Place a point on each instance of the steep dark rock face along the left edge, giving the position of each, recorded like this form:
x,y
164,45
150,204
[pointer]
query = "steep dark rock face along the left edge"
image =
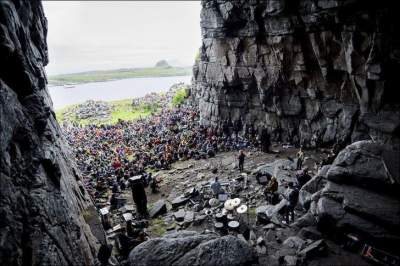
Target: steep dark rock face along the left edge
x,y
41,201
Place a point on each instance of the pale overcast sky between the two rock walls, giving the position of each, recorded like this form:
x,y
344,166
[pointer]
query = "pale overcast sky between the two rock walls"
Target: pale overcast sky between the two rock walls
x,y
108,35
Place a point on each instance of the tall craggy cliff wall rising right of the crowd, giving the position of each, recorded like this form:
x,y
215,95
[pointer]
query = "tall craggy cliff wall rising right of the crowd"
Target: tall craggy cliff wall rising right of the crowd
x,y
311,71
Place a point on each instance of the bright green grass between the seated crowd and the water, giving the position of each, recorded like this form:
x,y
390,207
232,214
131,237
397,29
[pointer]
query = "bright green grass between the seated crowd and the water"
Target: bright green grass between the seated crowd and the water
x,y
121,110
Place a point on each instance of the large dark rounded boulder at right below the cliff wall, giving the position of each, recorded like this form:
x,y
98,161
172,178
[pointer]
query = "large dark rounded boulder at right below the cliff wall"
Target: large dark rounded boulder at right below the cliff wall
x,y
361,194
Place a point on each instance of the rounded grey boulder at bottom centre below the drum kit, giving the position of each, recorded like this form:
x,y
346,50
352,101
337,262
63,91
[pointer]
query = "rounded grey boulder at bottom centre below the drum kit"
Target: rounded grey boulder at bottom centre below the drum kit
x,y
192,248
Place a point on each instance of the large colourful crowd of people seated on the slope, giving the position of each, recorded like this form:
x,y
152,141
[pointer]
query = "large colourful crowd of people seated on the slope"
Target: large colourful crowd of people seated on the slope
x,y
108,155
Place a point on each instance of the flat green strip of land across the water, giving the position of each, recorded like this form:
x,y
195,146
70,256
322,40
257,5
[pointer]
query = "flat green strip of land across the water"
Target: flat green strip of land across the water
x,y
106,75
